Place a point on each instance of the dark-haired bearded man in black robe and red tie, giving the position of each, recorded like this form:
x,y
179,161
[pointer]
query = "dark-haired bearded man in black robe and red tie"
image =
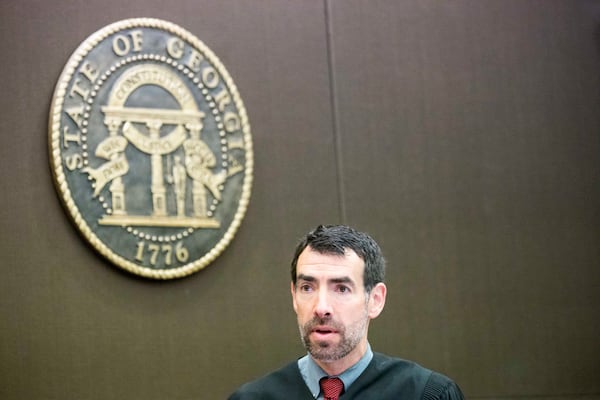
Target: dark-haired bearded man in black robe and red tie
x,y
337,288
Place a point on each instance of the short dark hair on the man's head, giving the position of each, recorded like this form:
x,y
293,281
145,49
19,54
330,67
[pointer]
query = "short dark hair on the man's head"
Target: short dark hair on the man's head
x,y
335,239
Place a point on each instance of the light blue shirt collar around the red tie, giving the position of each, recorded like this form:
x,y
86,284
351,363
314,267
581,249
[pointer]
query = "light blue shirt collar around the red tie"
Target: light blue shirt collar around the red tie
x,y
312,373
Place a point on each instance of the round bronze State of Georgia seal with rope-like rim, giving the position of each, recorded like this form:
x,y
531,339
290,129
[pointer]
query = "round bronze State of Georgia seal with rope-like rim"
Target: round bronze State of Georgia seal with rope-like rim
x,y
150,148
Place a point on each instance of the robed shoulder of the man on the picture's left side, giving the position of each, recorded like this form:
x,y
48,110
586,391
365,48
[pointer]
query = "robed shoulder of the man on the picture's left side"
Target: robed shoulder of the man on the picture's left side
x,y
275,384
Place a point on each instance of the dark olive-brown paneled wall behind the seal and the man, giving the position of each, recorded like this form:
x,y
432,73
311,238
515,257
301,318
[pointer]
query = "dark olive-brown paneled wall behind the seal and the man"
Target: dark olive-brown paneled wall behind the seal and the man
x,y
463,135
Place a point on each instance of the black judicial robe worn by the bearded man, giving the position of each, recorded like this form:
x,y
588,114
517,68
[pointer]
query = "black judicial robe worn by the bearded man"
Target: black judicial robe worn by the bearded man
x,y
384,378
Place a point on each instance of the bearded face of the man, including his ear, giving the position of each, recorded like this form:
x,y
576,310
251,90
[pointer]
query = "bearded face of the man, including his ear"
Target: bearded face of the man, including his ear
x,y
332,305
